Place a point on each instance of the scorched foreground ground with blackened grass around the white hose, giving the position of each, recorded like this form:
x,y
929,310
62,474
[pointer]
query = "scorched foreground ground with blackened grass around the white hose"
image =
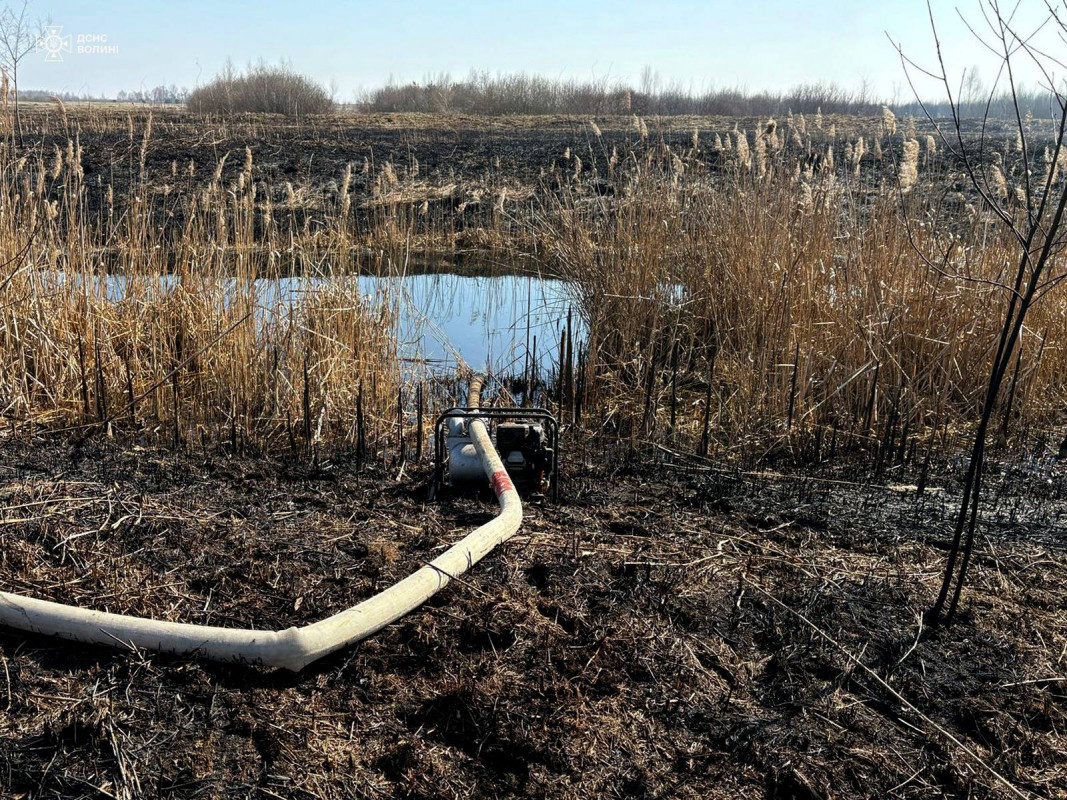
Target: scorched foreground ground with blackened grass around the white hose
x,y
668,630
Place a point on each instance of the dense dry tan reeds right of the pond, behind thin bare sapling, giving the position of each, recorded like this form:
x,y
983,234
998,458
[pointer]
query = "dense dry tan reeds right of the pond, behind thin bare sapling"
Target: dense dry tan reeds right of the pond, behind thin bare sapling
x,y
801,296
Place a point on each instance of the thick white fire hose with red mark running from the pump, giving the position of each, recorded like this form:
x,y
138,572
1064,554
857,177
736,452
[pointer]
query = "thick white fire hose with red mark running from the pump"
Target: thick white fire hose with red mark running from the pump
x,y
293,649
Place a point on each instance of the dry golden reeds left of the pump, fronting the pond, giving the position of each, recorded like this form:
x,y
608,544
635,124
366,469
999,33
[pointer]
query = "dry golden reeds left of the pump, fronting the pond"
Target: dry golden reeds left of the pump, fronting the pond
x,y
201,318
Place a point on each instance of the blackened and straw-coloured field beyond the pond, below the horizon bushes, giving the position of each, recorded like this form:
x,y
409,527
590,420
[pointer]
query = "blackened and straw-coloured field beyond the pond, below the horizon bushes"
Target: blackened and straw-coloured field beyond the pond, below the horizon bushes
x,y
461,167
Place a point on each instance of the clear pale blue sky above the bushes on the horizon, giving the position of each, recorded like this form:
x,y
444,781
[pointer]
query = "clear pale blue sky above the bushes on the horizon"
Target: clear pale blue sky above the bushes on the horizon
x,y
354,45
